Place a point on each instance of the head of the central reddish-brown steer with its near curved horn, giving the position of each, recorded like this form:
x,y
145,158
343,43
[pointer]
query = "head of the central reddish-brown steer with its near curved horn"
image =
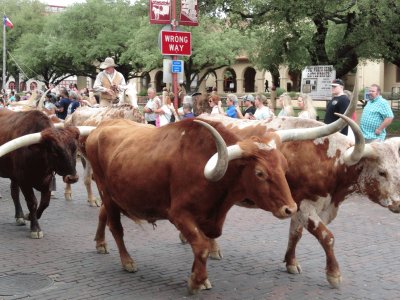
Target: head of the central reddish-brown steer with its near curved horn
x,y
258,170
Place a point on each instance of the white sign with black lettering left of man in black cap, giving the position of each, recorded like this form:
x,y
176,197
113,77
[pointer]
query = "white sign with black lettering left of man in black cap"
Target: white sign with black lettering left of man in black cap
x,y
316,81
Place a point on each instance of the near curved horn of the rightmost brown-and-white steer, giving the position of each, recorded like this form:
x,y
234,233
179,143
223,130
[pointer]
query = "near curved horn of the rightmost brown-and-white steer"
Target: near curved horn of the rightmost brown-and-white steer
x,y
355,153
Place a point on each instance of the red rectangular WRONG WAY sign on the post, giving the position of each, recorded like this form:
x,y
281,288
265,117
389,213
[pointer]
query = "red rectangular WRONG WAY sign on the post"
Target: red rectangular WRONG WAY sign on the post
x,y
176,43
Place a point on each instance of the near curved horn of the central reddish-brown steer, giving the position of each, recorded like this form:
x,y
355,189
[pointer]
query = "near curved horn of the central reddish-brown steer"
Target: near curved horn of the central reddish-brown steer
x,y
217,165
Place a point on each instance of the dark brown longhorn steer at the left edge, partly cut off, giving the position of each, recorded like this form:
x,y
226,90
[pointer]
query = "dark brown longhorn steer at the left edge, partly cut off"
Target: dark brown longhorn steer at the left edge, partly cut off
x,y
51,151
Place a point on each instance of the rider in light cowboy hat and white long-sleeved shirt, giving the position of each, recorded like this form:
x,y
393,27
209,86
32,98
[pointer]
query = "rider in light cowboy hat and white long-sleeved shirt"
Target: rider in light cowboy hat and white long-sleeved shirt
x,y
109,82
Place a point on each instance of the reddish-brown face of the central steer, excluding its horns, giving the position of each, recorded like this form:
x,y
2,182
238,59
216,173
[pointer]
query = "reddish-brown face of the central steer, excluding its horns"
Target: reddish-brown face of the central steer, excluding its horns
x,y
263,175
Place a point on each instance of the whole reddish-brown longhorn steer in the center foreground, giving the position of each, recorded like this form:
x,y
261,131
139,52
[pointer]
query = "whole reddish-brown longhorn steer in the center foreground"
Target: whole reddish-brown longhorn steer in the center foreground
x,y
157,173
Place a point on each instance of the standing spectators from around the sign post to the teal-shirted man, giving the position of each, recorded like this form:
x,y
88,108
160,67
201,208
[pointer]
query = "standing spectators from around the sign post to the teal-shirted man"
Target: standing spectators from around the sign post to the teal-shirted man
x,y
376,116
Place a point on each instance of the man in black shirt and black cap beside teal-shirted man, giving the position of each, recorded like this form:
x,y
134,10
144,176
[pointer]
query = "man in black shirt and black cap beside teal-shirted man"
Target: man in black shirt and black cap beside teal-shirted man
x,y
338,104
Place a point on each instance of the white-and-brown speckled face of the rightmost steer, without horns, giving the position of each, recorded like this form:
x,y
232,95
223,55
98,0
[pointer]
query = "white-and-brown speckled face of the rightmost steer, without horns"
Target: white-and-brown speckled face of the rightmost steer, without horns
x,y
380,175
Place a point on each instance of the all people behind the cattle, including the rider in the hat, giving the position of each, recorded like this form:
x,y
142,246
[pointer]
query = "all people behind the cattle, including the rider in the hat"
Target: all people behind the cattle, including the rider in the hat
x,y
376,116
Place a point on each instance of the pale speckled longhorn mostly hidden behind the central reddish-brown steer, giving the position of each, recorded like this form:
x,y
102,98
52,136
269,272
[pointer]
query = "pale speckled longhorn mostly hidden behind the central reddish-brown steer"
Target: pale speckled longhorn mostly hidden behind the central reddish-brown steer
x,y
92,116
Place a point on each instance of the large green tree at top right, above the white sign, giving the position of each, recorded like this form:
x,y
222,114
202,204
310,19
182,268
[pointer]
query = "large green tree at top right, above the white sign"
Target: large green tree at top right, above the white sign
x,y
299,32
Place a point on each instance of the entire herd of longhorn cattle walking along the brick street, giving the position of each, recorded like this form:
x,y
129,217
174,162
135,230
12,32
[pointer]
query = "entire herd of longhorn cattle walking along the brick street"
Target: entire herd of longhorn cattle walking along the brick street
x,y
299,169
